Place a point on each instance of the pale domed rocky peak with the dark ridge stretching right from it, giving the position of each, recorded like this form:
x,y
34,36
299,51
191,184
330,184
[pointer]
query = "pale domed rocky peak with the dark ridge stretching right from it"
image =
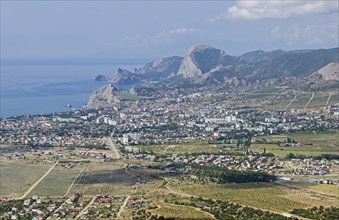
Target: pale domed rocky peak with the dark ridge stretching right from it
x,y
207,64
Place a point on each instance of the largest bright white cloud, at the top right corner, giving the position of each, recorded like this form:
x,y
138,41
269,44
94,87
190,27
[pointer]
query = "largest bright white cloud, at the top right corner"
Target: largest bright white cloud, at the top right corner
x,y
279,9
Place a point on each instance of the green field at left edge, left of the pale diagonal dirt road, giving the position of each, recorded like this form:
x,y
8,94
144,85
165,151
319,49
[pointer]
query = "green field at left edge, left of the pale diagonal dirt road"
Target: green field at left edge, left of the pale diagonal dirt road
x,y
17,176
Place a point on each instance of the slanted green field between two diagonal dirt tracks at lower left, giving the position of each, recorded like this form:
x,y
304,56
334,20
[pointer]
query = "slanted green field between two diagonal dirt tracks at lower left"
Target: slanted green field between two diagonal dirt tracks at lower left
x,y
57,182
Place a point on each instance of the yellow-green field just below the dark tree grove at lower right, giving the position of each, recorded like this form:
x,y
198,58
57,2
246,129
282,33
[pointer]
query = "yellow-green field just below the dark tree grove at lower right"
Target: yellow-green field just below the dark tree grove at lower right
x,y
256,195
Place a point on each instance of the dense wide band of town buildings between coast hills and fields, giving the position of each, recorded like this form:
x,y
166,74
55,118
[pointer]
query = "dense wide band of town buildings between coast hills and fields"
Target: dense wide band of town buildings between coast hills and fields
x,y
166,123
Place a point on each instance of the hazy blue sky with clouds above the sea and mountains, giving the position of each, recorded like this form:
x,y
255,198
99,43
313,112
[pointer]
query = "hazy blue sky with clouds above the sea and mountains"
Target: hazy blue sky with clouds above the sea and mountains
x,y
118,31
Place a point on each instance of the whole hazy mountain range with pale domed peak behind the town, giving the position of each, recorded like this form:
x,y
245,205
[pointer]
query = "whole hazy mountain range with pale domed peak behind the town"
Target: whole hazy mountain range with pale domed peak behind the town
x,y
205,66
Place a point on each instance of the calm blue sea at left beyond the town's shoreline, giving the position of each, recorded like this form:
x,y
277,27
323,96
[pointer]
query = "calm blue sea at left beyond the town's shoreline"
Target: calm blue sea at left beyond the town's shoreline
x,y
36,89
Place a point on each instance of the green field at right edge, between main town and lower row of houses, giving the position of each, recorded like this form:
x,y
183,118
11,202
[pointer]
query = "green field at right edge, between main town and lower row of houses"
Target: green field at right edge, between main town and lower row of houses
x,y
315,144
